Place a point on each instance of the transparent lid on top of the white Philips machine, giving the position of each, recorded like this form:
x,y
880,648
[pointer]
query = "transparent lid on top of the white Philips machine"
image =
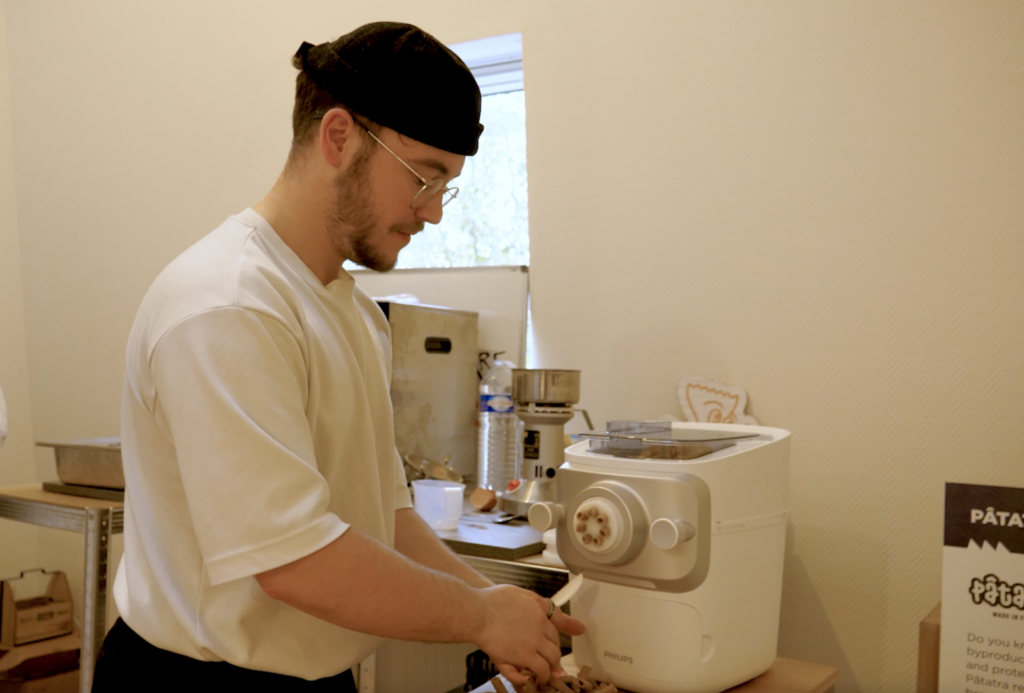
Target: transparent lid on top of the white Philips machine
x,y
659,441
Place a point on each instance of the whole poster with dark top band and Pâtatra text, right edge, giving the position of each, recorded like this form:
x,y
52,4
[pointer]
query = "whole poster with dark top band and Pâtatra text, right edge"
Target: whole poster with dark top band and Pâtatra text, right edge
x,y
983,632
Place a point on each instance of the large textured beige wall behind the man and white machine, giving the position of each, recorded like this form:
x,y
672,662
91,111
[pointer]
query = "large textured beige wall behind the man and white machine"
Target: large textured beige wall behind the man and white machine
x,y
817,201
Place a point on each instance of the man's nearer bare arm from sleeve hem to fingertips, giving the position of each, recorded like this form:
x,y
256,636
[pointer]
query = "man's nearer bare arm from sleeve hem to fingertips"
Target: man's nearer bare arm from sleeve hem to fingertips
x,y
360,584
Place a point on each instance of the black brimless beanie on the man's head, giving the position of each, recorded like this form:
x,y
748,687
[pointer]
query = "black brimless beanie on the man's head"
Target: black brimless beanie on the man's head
x,y
403,78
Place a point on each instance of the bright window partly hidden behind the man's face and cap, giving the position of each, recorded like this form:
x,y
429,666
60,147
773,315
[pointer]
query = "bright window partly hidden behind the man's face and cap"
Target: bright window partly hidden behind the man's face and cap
x,y
488,224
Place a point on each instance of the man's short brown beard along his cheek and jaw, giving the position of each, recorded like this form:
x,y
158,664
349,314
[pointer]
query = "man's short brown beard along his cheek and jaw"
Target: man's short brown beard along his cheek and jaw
x,y
352,223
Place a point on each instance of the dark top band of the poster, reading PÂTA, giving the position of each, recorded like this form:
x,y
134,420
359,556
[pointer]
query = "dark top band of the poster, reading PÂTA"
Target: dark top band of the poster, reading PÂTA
x,y
993,514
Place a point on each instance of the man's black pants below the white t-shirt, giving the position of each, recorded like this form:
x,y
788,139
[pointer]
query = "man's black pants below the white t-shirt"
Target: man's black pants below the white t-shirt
x,y
127,664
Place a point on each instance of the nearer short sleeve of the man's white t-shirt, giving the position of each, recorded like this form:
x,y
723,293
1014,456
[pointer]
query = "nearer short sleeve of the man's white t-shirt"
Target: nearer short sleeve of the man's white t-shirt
x,y
231,389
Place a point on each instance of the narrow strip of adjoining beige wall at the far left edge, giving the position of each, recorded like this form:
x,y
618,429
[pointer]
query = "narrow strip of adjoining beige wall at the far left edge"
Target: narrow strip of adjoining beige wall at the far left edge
x,y
19,548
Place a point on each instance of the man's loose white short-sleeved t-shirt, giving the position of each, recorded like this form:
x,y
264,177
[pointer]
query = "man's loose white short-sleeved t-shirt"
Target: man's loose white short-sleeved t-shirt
x,y
257,428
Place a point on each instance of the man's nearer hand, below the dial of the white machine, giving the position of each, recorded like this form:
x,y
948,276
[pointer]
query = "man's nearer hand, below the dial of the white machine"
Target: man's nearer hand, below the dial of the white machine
x,y
518,634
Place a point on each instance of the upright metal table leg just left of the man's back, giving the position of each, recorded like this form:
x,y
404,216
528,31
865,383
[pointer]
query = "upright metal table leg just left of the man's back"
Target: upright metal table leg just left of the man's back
x,y
98,542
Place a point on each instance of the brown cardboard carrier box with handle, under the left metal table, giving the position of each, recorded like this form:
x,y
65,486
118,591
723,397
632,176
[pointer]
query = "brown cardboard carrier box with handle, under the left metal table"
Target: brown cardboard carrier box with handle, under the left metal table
x,y
32,619
